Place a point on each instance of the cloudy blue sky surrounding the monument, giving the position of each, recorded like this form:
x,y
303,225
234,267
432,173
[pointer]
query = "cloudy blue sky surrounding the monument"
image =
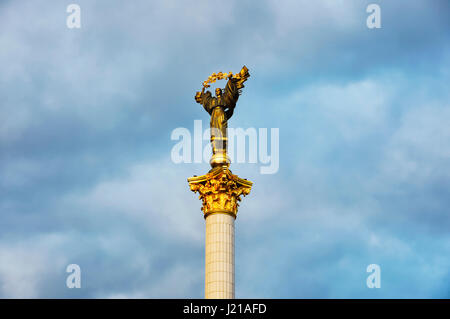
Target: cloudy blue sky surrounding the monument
x,y
86,175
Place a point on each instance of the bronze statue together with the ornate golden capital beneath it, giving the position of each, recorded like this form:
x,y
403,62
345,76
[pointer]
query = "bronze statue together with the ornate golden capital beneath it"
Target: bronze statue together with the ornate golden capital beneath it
x,y
220,190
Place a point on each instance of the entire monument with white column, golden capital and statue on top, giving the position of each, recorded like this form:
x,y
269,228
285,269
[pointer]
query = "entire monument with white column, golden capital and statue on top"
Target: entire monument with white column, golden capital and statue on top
x,y
220,190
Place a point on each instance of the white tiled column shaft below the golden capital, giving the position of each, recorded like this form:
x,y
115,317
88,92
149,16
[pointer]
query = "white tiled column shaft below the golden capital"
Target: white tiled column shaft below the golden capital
x,y
219,256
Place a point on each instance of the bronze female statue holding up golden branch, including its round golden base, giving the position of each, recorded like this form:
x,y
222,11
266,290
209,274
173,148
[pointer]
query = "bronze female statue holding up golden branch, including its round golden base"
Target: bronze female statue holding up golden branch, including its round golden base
x,y
221,108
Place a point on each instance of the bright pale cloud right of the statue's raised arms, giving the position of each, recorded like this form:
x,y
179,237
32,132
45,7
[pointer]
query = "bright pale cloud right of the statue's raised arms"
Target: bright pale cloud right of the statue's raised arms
x,y
353,109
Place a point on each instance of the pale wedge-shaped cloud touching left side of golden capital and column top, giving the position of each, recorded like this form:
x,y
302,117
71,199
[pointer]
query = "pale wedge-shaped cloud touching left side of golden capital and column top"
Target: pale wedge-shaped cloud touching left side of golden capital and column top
x,y
137,195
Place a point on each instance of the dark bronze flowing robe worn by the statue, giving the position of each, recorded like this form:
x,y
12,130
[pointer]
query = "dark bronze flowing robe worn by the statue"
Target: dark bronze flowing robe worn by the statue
x,y
221,109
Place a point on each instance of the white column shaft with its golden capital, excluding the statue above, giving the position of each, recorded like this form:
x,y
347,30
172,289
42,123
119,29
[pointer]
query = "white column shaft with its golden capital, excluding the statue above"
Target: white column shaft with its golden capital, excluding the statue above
x,y
220,192
